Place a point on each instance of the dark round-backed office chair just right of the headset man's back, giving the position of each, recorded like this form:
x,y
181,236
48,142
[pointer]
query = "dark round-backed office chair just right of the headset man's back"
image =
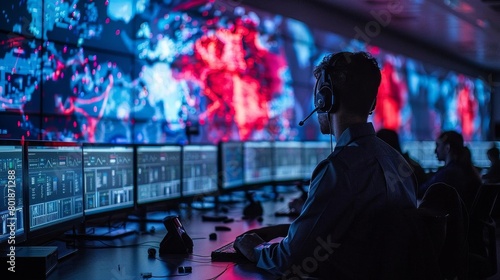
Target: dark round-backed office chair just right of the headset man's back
x,y
442,199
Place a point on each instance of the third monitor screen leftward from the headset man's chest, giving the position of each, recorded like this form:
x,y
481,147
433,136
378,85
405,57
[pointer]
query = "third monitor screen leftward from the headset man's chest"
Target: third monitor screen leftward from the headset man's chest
x,y
258,164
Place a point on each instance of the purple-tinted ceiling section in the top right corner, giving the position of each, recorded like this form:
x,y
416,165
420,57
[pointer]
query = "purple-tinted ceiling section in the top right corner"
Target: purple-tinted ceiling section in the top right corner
x,y
467,29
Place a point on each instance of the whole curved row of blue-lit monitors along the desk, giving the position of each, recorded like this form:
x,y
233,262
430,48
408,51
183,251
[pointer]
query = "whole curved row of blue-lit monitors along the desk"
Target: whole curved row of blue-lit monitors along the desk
x,y
51,187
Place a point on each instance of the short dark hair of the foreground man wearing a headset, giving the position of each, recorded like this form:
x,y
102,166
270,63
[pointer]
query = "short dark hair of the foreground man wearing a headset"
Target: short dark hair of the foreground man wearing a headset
x,y
356,78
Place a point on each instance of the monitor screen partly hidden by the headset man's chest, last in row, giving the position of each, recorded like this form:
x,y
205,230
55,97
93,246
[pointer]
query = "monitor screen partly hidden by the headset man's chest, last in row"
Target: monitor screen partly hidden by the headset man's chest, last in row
x,y
314,153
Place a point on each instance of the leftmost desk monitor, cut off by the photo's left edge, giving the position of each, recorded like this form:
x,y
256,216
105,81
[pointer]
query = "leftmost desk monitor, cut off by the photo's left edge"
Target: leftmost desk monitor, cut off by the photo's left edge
x,y
12,230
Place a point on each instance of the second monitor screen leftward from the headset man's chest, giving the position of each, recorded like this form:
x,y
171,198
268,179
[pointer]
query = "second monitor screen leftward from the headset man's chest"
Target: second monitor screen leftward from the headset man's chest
x,y
287,159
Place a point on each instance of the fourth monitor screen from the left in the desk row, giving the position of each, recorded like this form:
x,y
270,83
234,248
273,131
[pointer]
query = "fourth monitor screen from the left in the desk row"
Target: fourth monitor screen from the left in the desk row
x,y
158,173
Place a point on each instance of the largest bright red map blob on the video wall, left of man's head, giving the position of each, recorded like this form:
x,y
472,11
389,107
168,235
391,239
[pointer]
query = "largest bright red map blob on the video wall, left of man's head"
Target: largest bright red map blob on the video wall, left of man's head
x,y
238,76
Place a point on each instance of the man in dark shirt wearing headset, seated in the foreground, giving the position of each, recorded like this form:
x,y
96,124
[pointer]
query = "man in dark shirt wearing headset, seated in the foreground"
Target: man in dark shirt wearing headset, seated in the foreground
x,y
347,226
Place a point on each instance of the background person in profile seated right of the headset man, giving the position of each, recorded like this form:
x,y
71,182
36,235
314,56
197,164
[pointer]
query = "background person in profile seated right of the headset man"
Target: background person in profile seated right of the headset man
x,y
457,171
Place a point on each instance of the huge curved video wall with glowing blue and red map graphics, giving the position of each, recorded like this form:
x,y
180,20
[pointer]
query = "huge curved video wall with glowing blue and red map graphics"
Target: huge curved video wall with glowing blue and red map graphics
x,y
143,71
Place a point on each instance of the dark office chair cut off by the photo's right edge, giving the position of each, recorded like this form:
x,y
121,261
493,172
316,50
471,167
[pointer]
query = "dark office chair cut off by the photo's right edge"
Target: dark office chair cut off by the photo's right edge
x,y
482,233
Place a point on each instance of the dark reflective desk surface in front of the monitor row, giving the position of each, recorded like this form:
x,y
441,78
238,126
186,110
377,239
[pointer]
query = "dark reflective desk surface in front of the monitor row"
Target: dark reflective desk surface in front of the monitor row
x,y
127,258
